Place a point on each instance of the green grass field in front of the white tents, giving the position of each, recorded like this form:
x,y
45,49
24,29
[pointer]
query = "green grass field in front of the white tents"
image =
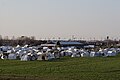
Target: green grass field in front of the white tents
x,y
66,68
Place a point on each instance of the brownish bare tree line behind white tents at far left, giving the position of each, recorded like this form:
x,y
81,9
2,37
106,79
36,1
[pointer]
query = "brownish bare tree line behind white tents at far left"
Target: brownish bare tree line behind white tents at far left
x,y
23,40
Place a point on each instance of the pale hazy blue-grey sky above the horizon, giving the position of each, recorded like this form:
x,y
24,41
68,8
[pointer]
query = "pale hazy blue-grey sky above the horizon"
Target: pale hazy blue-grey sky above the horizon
x,y
60,18
